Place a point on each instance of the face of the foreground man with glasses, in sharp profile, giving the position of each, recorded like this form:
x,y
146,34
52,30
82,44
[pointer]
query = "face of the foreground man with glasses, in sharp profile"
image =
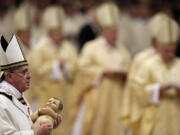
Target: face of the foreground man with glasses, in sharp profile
x,y
20,78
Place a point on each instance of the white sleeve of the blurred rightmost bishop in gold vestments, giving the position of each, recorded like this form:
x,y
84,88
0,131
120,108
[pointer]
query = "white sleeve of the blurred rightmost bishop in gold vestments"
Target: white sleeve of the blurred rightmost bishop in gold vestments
x,y
155,95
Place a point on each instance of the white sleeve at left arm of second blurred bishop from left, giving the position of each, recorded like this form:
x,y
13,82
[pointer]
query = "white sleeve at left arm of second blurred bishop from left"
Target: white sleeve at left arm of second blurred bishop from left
x,y
56,73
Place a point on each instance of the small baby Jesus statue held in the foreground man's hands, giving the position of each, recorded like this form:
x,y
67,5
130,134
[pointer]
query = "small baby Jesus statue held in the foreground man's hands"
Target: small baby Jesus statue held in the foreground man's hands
x,y
48,113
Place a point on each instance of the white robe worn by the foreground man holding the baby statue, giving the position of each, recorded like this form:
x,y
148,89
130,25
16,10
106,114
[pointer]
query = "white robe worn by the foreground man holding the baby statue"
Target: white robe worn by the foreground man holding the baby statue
x,y
14,116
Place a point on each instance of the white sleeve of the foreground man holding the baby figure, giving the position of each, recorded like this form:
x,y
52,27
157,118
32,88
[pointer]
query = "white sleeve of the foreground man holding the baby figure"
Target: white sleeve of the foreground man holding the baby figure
x,y
8,128
